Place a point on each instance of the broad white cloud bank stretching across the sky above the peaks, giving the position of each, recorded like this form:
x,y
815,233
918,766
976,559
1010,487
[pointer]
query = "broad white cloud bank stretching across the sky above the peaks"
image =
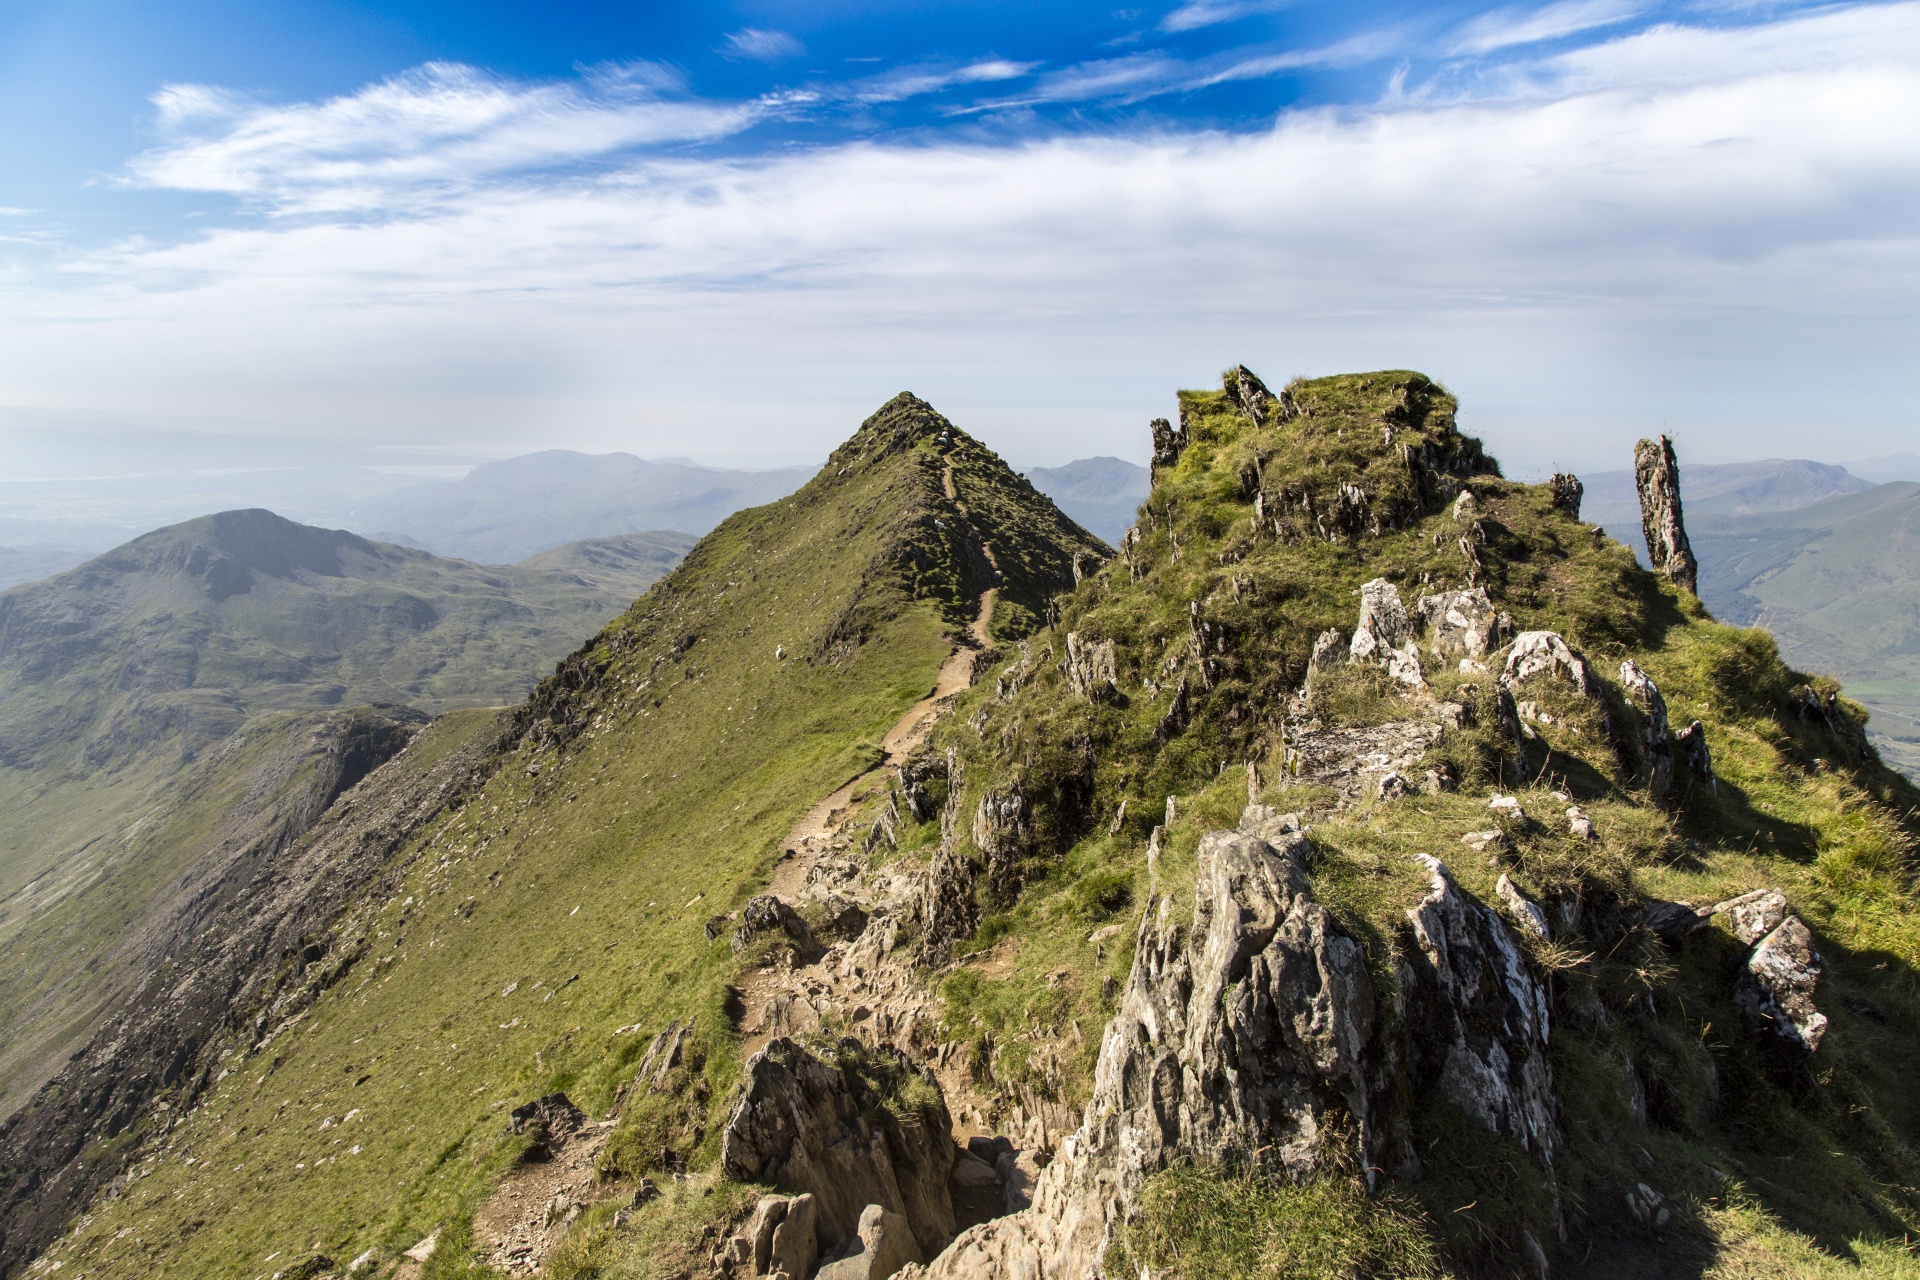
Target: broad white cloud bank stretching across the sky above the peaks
x,y
1742,247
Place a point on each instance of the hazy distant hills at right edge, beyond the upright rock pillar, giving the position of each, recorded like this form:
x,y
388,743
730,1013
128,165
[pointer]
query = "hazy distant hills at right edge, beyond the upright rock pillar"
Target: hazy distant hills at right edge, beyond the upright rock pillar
x,y
1838,584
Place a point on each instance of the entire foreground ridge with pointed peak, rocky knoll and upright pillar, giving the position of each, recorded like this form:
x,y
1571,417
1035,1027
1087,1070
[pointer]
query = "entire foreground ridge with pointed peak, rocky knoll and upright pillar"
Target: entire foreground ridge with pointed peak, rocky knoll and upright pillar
x,y
1360,870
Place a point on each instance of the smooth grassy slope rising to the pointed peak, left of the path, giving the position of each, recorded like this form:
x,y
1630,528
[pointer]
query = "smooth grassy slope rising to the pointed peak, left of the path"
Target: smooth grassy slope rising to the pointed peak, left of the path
x,y
642,790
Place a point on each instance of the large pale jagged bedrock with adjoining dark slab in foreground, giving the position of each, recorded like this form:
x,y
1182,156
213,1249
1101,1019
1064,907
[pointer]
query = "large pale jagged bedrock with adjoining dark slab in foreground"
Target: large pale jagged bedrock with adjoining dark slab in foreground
x,y
1257,1037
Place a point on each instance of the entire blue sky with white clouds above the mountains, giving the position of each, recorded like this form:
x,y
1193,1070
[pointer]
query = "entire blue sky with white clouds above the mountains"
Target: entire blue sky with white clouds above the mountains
x,y
731,231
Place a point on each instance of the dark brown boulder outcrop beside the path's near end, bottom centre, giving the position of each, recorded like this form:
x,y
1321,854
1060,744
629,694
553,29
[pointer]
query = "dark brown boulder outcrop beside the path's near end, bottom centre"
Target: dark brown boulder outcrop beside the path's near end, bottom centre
x,y
869,1129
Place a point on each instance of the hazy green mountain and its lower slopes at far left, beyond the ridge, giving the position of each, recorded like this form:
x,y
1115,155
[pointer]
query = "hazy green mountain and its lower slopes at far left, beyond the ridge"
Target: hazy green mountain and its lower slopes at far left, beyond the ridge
x,y
216,665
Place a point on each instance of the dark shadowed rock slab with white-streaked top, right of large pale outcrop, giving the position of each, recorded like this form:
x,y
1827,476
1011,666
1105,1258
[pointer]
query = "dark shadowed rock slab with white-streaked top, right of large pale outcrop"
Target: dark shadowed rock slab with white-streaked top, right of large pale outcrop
x,y
1477,1016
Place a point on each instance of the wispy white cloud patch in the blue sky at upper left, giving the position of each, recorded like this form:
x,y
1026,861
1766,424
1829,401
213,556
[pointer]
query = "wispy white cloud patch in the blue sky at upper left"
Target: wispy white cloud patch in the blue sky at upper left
x,y
439,128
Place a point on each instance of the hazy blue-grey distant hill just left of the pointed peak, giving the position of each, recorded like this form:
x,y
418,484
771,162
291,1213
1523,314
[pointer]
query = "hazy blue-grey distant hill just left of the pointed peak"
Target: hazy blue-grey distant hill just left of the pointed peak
x,y
508,511
